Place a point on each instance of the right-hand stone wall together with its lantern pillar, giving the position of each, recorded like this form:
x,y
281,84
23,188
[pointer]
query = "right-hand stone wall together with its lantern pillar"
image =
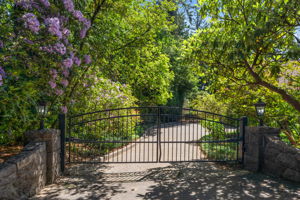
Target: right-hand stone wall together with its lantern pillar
x,y
265,152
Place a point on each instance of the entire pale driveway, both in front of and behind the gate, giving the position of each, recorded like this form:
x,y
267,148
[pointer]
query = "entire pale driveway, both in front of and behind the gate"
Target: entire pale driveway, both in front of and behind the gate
x,y
182,181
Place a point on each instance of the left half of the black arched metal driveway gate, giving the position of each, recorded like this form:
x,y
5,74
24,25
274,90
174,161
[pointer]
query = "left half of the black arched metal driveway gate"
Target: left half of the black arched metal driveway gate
x,y
115,135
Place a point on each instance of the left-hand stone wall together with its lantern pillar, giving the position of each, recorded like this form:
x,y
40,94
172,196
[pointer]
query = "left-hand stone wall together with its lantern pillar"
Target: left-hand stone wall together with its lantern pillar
x,y
38,164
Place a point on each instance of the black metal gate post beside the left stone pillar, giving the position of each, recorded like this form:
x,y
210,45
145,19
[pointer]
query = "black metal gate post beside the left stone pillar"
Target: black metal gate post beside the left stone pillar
x,y
62,128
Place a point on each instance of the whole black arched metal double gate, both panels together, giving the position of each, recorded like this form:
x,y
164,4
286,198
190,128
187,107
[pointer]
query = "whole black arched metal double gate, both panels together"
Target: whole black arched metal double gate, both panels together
x,y
151,134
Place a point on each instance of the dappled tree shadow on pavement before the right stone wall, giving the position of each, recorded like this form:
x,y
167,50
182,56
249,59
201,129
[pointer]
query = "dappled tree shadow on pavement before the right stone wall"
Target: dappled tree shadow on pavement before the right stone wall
x,y
208,181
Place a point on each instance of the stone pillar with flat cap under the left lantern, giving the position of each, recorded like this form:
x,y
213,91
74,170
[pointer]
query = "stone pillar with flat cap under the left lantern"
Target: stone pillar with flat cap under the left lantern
x,y
52,139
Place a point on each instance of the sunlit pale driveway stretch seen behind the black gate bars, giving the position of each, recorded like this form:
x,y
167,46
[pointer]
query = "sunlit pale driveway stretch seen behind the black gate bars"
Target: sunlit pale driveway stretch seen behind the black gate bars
x,y
176,144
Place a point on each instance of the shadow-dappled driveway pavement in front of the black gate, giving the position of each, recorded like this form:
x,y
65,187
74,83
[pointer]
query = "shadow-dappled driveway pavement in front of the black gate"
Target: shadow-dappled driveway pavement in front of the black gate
x,y
182,181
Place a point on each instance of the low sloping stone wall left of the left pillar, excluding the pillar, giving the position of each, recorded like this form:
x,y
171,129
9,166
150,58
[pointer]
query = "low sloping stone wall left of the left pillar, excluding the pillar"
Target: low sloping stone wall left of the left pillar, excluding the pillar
x,y
24,174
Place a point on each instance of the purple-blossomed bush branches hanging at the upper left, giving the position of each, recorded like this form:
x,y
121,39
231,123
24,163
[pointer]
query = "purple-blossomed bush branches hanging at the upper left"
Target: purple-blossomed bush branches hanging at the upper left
x,y
53,34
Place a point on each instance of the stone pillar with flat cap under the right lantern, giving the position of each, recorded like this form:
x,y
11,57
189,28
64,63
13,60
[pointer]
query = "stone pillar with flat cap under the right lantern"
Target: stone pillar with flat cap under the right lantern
x,y
254,146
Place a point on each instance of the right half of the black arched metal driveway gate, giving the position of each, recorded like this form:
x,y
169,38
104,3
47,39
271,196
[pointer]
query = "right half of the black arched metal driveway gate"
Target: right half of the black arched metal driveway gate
x,y
198,136
